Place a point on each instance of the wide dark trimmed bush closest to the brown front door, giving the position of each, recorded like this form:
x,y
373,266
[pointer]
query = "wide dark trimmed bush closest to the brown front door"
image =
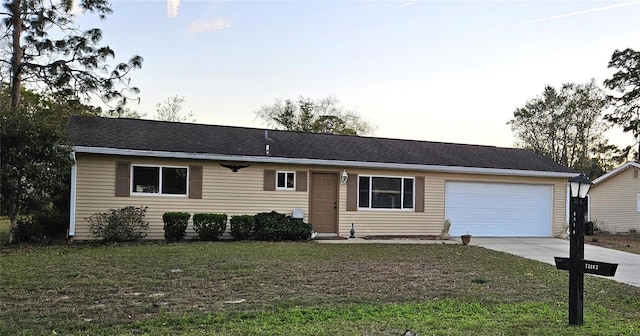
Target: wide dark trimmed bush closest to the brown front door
x,y
275,226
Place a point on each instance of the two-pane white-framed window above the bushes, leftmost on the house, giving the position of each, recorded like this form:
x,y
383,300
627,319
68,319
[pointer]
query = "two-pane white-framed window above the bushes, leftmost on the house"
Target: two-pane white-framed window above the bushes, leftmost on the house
x,y
159,180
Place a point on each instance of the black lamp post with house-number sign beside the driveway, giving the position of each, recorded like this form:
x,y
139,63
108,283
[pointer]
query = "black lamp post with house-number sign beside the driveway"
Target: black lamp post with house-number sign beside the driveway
x,y
575,264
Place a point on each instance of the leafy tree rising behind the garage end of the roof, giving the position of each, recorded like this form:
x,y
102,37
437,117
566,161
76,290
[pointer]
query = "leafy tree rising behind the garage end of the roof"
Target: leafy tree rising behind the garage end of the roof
x,y
566,125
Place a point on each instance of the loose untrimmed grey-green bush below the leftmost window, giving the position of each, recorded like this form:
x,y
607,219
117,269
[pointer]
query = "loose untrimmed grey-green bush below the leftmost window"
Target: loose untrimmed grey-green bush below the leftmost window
x,y
117,225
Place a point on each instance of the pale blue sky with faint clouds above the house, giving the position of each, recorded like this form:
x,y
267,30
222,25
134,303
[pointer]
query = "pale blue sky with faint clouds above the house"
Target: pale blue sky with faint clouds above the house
x,y
427,70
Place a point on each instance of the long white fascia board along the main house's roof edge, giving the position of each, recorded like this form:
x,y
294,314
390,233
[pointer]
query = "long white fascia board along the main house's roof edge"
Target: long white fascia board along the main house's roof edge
x,y
319,162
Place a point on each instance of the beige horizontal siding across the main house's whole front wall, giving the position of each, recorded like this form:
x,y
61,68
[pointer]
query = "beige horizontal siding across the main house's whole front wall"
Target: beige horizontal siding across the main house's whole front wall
x,y
243,193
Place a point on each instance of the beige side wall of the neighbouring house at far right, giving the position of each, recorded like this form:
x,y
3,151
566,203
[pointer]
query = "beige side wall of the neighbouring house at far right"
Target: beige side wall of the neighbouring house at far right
x,y
614,202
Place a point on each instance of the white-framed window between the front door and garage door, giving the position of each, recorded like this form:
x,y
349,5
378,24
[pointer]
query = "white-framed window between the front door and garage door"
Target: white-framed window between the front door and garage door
x,y
376,192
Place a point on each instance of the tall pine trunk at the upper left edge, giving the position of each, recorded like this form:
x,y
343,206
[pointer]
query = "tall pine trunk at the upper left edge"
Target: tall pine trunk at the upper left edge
x,y
16,57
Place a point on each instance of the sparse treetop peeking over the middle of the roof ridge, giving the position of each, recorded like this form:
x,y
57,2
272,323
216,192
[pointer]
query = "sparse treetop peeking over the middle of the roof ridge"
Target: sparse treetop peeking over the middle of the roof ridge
x,y
324,115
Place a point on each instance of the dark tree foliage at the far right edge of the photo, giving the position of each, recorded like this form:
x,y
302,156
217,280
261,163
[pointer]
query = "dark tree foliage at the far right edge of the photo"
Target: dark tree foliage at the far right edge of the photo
x,y
626,83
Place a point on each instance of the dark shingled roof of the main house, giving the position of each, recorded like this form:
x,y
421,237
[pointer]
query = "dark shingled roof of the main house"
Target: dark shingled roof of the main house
x,y
151,135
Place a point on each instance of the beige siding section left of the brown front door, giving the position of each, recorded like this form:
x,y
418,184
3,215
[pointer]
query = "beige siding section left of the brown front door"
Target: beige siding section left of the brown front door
x,y
223,191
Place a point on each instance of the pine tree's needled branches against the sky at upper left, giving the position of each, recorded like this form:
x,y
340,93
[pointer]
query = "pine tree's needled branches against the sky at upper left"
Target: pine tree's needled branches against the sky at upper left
x,y
49,53
